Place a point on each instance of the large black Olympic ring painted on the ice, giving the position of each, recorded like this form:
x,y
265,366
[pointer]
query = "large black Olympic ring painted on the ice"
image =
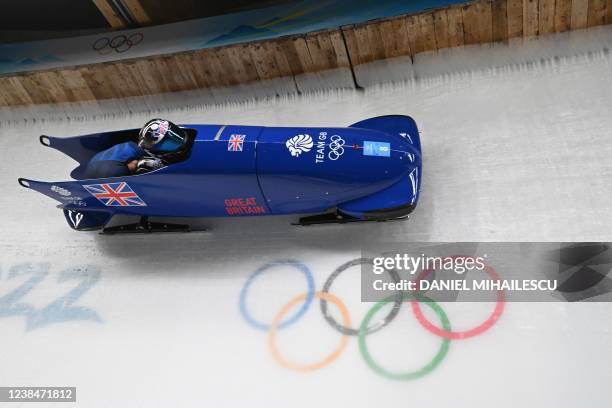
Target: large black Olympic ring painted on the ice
x,y
349,330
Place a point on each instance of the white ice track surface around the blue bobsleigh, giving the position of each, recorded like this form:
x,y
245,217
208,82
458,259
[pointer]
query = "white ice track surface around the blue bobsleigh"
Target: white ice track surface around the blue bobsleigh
x,y
520,153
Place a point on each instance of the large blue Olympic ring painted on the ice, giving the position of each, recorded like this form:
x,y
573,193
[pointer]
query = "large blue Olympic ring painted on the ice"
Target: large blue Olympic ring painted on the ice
x,y
309,297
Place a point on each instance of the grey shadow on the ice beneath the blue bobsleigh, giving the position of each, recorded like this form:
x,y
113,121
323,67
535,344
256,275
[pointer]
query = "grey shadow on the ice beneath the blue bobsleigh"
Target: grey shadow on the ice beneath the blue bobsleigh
x,y
228,241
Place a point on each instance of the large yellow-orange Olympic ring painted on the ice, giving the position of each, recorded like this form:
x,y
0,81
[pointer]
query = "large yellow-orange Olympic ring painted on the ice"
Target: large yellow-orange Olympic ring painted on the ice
x,y
319,364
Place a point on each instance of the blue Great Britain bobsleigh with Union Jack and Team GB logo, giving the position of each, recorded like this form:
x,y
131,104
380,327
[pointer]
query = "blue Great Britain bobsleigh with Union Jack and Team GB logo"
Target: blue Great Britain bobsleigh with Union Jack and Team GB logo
x,y
369,171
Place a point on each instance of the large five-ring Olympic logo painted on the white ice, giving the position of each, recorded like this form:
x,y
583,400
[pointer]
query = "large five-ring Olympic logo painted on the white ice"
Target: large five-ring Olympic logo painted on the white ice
x,y
283,319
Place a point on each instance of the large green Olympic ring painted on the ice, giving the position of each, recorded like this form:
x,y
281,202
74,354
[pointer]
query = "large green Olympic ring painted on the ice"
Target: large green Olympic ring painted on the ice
x,y
363,349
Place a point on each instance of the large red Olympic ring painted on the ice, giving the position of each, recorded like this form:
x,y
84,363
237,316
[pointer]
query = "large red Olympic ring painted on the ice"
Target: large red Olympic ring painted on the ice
x,y
458,335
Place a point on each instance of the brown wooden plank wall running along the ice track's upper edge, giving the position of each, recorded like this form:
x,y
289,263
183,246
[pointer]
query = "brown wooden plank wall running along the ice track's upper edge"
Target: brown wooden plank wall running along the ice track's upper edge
x,y
479,21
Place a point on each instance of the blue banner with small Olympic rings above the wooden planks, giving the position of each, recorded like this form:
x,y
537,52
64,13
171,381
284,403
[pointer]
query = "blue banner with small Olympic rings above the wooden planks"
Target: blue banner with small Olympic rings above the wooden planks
x,y
265,23
